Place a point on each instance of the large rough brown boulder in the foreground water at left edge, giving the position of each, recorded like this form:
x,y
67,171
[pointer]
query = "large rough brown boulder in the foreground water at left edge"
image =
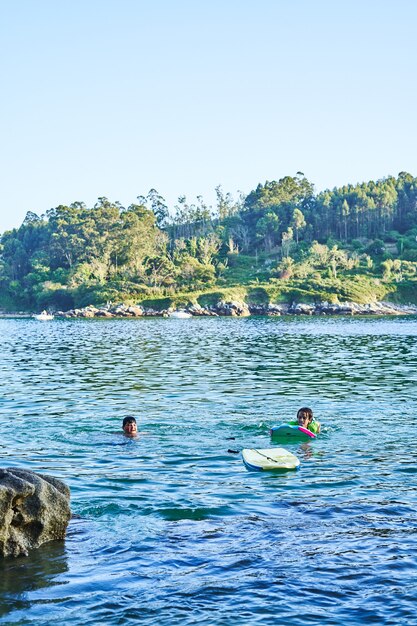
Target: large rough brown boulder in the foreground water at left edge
x,y
34,509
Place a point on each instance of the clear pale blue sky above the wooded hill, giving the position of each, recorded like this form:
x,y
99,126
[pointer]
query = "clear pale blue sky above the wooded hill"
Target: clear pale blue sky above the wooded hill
x,y
115,97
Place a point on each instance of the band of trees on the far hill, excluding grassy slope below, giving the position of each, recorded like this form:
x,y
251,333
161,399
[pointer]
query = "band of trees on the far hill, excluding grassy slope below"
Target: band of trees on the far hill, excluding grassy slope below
x,y
76,254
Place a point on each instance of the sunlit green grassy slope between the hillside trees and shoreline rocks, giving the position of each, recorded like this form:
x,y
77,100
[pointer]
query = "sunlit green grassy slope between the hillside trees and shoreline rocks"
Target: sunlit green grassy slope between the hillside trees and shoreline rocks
x,y
250,279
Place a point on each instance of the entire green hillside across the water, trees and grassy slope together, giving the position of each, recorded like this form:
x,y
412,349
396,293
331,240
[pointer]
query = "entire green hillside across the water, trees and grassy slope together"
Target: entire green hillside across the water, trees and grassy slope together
x,y
282,241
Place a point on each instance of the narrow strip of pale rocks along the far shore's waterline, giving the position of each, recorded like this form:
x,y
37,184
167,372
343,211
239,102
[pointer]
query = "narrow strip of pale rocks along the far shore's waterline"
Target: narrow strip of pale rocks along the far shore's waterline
x,y
242,309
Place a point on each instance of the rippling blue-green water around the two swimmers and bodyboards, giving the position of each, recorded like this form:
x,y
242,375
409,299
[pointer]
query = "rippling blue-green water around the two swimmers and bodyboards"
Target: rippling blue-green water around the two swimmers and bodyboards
x,y
171,528
